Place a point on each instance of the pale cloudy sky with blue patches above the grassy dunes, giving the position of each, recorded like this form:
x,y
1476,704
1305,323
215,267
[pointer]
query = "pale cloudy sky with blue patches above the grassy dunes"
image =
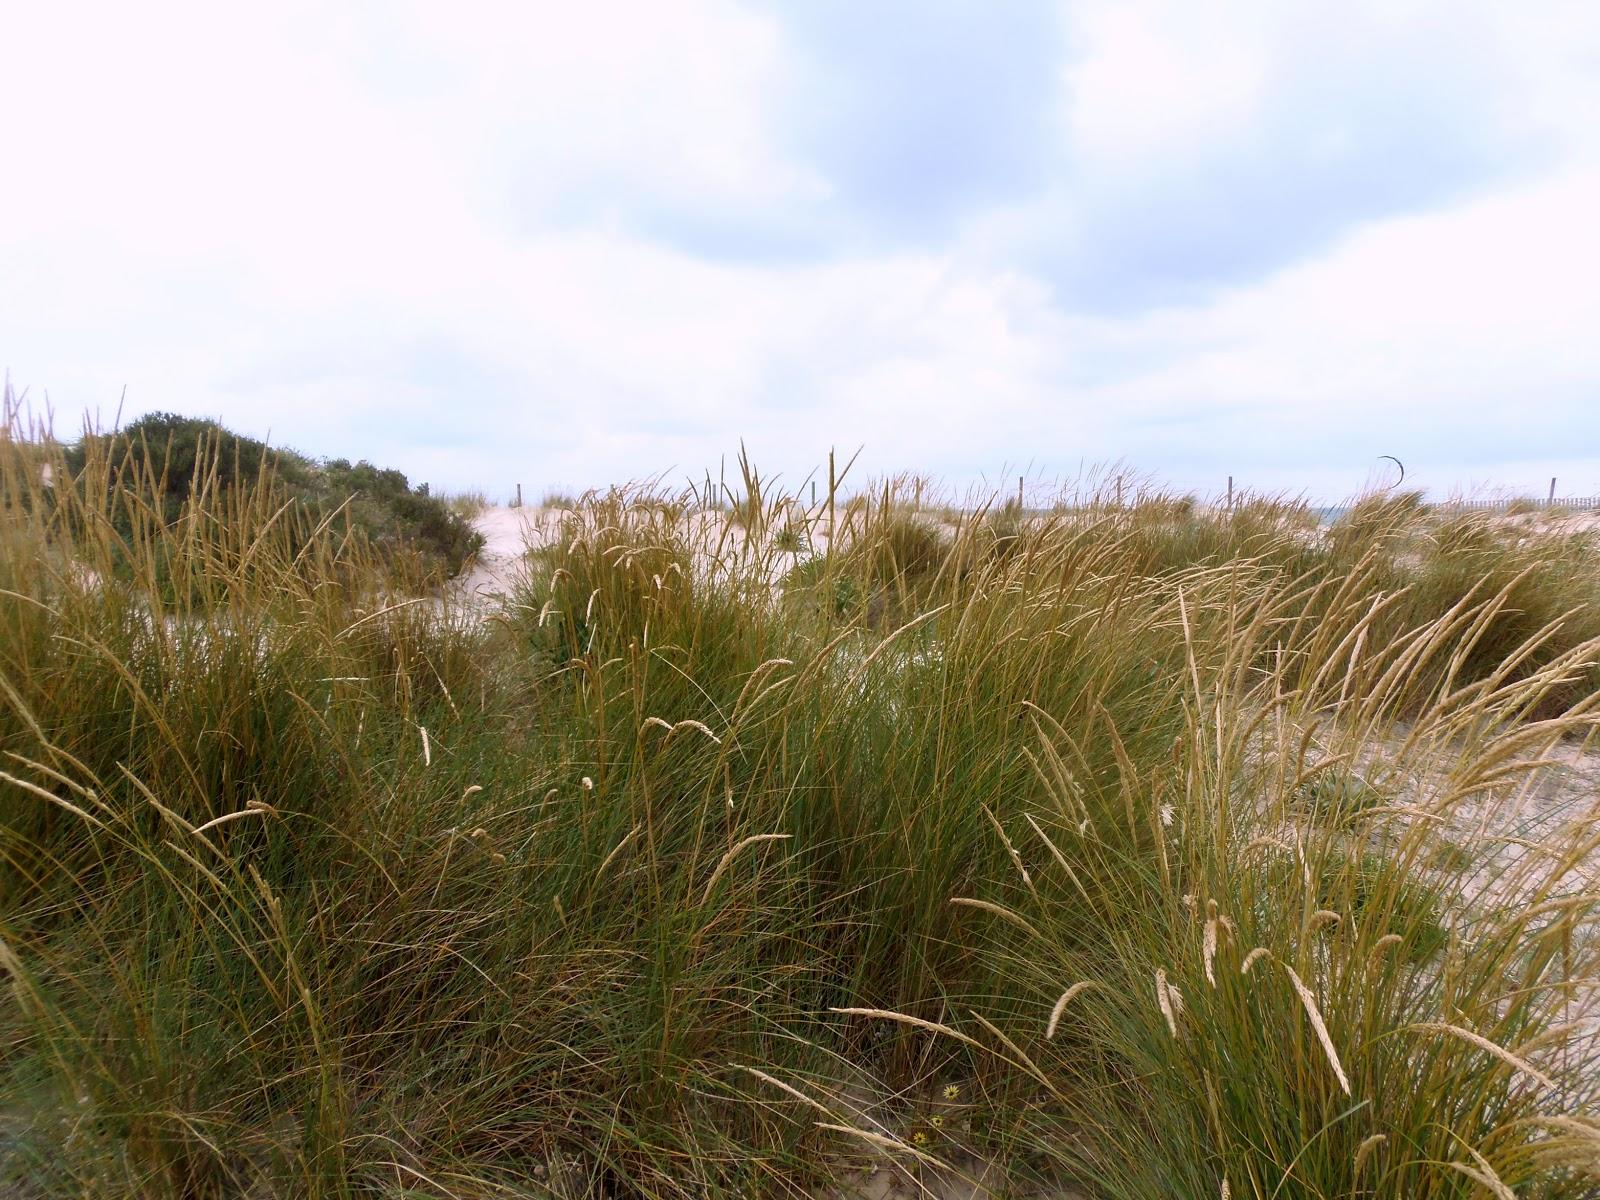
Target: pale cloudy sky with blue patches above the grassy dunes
x,y
567,246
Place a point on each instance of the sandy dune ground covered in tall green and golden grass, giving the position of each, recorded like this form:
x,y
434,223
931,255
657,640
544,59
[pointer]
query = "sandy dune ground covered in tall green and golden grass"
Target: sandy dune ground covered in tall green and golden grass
x,y
1124,852
